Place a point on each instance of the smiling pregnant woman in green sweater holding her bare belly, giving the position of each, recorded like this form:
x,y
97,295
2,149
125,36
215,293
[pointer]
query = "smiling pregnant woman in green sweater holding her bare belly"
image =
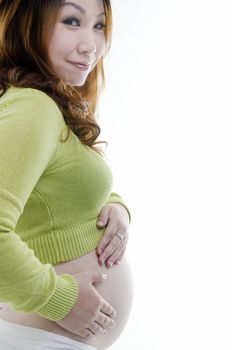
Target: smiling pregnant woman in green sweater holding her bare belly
x,y
65,279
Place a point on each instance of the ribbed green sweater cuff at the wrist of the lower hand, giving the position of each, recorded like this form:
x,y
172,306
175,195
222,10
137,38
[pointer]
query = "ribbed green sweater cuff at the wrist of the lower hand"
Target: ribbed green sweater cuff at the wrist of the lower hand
x,y
62,300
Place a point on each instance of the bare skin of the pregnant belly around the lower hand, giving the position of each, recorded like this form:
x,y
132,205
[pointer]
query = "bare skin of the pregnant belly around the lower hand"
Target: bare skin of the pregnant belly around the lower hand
x,y
117,289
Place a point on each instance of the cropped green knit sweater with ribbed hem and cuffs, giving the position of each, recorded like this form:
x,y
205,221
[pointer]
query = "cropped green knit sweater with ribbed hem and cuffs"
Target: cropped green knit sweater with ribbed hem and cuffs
x,y
51,193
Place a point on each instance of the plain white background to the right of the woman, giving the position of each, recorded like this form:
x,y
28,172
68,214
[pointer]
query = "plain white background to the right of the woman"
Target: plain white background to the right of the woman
x,y
166,112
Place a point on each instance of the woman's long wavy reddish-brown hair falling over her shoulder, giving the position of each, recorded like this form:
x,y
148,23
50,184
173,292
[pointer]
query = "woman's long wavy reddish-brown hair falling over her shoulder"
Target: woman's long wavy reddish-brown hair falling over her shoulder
x,y
25,30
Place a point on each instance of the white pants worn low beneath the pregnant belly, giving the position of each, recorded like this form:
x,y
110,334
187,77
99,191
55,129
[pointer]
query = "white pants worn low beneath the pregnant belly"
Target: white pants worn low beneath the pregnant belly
x,y
17,337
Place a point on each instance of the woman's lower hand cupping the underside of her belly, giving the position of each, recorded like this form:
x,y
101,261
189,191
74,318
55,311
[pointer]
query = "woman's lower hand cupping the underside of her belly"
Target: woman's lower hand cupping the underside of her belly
x,y
91,315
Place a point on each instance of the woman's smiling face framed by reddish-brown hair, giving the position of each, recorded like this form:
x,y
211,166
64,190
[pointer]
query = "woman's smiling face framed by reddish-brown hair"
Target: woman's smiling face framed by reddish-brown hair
x,y
78,40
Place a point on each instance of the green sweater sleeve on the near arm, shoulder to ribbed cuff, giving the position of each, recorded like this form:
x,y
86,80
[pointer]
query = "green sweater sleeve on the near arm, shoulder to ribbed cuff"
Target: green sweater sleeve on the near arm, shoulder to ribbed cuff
x,y
30,123
